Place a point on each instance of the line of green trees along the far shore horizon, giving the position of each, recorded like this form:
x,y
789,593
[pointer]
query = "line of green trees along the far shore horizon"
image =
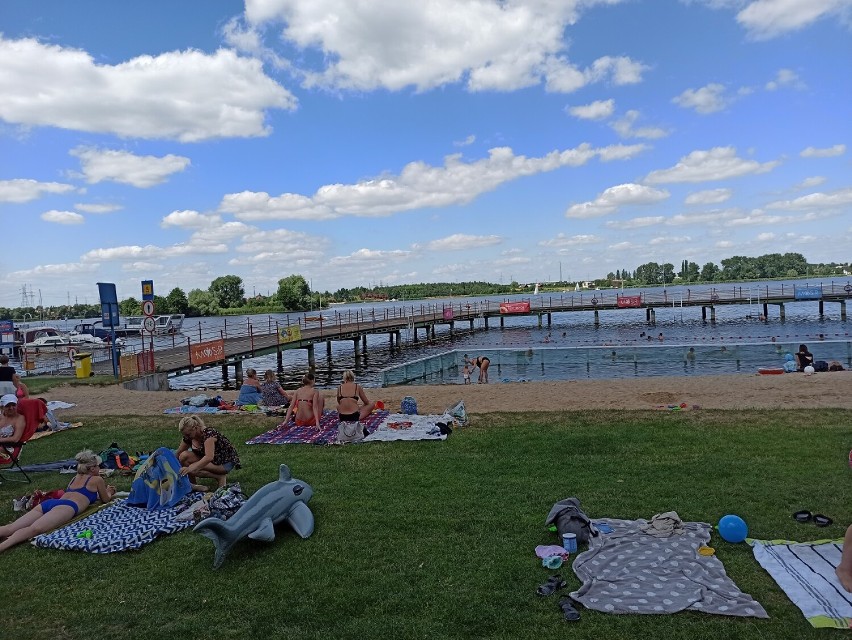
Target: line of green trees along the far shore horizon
x,y
226,294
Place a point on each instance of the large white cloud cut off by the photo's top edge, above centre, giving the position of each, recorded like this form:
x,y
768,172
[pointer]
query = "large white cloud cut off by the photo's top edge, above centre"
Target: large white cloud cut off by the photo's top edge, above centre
x,y
486,45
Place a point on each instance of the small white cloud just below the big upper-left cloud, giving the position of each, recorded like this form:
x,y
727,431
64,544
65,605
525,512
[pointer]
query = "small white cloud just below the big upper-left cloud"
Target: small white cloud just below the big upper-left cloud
x,y
110,165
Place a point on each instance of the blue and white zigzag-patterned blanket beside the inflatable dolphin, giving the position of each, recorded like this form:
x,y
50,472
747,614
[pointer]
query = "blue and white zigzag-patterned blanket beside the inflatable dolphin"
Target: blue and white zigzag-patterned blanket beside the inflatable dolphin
x,y
116,527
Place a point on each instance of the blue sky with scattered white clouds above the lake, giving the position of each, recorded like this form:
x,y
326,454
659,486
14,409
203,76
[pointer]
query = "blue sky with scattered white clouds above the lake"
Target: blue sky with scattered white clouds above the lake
x,y
377,141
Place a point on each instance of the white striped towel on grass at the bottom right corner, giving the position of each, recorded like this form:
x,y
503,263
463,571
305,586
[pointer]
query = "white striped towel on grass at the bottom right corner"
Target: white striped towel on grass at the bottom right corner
x,y
805,571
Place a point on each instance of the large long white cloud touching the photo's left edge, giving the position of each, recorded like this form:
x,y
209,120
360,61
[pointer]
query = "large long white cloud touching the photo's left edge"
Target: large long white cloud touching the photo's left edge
x,y
184,95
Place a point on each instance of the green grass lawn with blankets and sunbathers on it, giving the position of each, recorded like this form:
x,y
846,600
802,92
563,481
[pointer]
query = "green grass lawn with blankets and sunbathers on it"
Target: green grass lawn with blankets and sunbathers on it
x,y
436,539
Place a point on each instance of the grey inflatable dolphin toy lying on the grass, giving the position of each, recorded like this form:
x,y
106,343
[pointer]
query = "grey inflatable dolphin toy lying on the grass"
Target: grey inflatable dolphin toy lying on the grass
x,y
284,499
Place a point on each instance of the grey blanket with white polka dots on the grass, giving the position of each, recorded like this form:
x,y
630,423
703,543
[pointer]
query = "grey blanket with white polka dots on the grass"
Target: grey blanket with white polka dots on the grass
x,y
629,571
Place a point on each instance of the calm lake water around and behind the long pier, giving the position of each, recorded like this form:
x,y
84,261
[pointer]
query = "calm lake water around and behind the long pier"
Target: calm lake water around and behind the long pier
x,y
573,346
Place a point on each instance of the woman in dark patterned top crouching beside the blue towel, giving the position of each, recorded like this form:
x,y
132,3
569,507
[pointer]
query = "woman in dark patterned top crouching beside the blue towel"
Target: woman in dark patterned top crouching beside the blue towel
x,y
205,453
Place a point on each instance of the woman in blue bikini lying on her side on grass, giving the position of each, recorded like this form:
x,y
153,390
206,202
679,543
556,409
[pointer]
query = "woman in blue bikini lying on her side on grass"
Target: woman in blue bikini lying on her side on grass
x,y
84,489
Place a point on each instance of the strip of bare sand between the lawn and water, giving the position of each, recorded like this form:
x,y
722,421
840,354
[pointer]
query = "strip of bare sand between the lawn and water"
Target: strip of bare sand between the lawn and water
x,y
747,391
